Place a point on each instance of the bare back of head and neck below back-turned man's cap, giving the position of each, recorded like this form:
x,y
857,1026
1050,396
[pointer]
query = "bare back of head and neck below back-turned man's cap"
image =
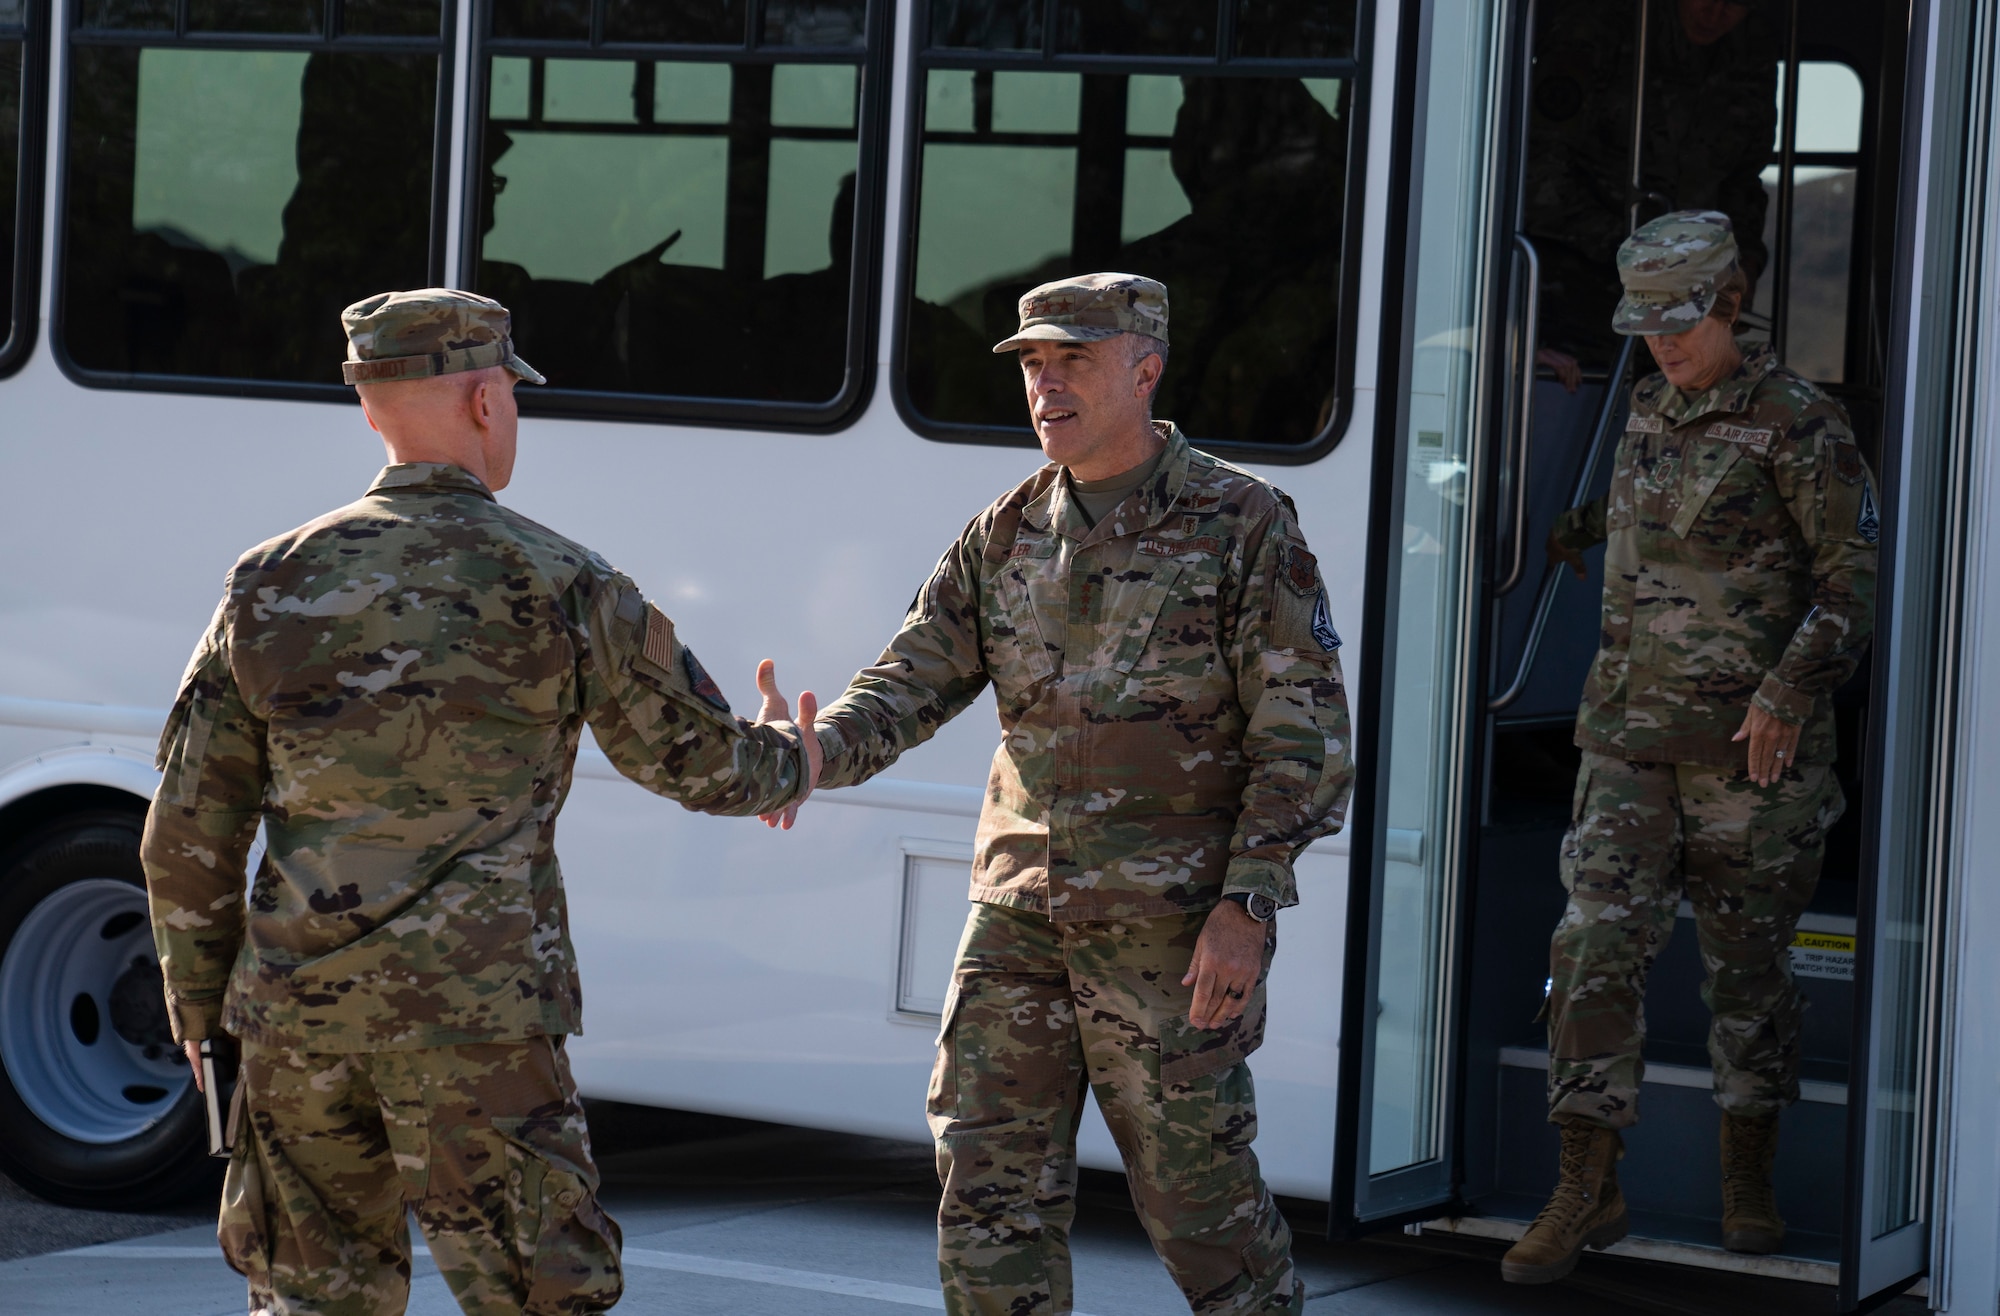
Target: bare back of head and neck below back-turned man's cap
x,y
463,419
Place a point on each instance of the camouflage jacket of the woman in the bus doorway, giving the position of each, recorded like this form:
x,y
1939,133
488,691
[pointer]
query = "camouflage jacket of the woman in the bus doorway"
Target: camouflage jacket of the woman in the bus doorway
x,y
1741,569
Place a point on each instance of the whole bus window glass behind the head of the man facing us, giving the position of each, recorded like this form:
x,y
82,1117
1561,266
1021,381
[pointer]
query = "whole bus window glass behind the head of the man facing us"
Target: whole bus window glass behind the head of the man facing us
x,y
1221,173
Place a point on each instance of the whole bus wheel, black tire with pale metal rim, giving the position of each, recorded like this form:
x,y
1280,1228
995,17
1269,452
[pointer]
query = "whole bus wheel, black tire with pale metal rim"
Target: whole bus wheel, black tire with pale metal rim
x,y
97,1103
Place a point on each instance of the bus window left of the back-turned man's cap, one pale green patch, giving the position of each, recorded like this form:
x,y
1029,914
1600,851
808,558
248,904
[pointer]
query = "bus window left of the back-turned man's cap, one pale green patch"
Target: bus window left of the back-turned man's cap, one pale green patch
x,y
227,199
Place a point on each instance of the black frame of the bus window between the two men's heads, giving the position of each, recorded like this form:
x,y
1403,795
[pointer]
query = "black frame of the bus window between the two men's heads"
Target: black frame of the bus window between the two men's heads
x,y
871,131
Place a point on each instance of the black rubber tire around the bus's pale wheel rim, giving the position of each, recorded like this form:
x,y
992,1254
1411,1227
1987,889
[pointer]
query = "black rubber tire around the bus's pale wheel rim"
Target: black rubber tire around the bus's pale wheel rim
x,y
169,1159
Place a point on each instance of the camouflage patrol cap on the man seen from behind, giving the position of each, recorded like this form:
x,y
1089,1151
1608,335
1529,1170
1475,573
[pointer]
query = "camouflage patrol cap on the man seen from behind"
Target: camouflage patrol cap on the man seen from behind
x,y
429,333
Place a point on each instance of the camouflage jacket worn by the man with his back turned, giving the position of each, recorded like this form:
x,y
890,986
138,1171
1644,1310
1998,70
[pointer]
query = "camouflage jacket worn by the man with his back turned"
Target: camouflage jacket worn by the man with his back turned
x,y
397,693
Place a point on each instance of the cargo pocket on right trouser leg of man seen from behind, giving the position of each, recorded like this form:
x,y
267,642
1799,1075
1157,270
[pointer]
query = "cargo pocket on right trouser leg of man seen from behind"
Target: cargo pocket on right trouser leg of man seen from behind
x,y
563,1245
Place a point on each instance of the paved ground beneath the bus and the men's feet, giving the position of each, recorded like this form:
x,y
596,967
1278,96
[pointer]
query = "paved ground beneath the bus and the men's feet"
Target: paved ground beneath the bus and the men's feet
x,y
727,1217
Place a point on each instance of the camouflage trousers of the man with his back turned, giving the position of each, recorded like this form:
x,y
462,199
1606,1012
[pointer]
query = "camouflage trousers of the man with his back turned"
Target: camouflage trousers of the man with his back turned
x,y
485,1143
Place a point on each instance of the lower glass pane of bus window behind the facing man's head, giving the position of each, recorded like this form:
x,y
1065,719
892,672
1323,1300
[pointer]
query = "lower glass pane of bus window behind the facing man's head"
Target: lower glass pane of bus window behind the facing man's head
x,y
1231,191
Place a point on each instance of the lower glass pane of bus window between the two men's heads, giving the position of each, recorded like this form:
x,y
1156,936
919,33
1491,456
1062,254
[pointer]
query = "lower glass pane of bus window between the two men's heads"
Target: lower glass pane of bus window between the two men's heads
x,y
677,229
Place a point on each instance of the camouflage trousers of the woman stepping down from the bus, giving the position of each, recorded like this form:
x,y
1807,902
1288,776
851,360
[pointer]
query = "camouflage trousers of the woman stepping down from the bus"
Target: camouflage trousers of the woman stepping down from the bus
x,y
1747,859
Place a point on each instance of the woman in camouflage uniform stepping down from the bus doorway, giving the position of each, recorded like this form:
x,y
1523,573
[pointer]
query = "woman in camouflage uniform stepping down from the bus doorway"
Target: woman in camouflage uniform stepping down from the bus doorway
x,y
1739,593
